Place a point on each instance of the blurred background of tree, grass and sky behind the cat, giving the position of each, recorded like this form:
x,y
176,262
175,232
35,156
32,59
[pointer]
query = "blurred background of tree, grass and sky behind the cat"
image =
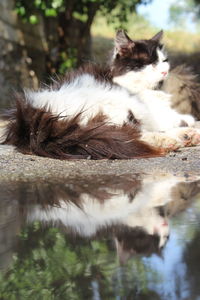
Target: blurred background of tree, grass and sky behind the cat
x,y
41,38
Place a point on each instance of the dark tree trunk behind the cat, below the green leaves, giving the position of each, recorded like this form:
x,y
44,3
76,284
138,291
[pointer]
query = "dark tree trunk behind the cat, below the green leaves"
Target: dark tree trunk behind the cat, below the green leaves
x,y
73,37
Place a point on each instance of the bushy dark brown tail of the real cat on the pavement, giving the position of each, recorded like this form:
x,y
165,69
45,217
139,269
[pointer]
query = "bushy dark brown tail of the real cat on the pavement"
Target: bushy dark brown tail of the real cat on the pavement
x,y
37,131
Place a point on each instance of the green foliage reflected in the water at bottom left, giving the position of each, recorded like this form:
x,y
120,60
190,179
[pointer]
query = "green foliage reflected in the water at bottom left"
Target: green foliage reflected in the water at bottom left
x,y
48,265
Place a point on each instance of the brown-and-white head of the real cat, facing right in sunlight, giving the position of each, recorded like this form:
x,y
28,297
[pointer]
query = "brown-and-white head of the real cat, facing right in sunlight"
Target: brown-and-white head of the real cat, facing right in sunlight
x,y
139,64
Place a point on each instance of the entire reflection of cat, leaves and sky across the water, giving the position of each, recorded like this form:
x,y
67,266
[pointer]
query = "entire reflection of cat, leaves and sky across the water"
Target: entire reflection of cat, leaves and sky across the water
x,y
71,231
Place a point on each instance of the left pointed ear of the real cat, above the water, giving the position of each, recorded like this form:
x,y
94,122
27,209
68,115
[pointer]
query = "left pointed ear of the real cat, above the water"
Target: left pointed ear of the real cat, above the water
x,y
123,44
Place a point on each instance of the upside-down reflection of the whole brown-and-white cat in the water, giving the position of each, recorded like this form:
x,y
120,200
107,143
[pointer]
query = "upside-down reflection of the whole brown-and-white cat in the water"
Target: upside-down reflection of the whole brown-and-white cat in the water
x,y
133,211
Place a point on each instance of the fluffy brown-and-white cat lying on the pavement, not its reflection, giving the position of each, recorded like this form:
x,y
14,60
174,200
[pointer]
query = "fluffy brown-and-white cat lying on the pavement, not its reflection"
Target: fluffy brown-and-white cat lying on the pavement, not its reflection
x,y
111,112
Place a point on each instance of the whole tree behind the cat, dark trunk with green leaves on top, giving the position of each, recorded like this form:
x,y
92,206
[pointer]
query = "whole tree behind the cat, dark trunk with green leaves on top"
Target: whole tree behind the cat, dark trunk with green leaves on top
x,y
68,11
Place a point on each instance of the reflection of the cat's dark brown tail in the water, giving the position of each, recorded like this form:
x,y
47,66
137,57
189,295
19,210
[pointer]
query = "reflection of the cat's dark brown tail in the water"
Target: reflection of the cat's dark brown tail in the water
x,y
49,193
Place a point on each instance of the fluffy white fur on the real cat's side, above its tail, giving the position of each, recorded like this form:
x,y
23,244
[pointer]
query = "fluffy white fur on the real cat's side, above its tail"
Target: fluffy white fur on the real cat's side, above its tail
x,y
91,97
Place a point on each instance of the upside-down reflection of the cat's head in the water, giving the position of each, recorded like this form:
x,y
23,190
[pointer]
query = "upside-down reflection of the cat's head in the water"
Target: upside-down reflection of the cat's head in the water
x,y
145,237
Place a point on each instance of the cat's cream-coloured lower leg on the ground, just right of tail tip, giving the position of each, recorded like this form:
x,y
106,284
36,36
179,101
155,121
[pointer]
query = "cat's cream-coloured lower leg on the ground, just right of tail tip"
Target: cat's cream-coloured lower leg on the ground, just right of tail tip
x,y
174,138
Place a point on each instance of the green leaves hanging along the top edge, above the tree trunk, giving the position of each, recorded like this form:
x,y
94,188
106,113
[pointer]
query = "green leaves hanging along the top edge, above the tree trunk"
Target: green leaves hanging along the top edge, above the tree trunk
x,y
81,8
